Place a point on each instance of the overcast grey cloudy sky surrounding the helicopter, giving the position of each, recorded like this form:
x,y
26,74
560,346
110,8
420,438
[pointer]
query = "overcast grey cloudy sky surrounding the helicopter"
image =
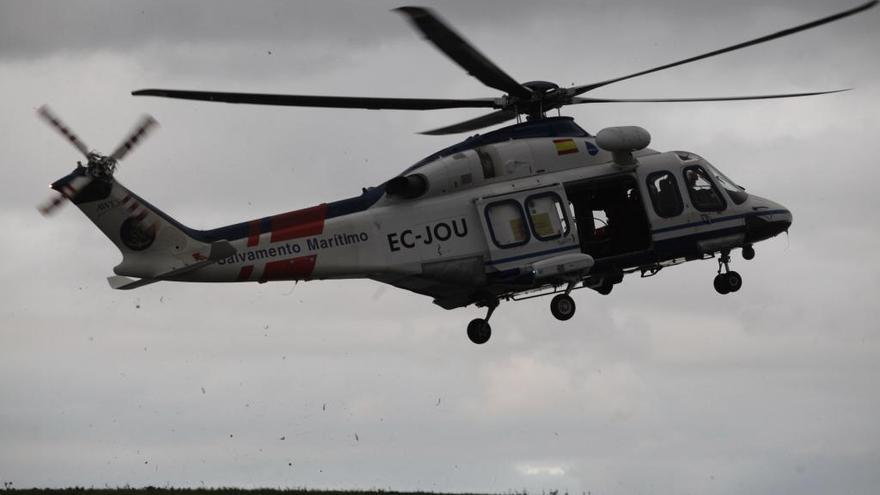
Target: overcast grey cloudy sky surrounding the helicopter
x,y
662,387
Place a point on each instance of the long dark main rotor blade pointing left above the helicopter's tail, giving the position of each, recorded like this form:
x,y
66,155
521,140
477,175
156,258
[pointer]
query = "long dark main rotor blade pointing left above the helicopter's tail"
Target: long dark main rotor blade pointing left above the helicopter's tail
x,y
322,101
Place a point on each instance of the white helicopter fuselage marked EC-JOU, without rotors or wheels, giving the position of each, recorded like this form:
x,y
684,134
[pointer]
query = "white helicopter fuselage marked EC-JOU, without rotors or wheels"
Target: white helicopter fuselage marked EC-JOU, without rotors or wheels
x,y
479,221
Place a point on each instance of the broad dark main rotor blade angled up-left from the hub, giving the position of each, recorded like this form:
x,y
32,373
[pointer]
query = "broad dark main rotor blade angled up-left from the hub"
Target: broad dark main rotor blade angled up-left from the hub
x,y
462,52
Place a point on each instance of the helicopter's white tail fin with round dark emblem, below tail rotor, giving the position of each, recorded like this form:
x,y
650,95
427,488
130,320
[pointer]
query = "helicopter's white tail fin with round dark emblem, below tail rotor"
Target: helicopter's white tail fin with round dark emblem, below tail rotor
x,y
152,243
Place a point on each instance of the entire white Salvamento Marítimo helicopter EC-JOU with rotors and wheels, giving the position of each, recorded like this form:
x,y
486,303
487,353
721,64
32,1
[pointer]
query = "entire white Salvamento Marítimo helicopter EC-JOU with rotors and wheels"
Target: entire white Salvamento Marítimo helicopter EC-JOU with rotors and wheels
x,y
537,208
